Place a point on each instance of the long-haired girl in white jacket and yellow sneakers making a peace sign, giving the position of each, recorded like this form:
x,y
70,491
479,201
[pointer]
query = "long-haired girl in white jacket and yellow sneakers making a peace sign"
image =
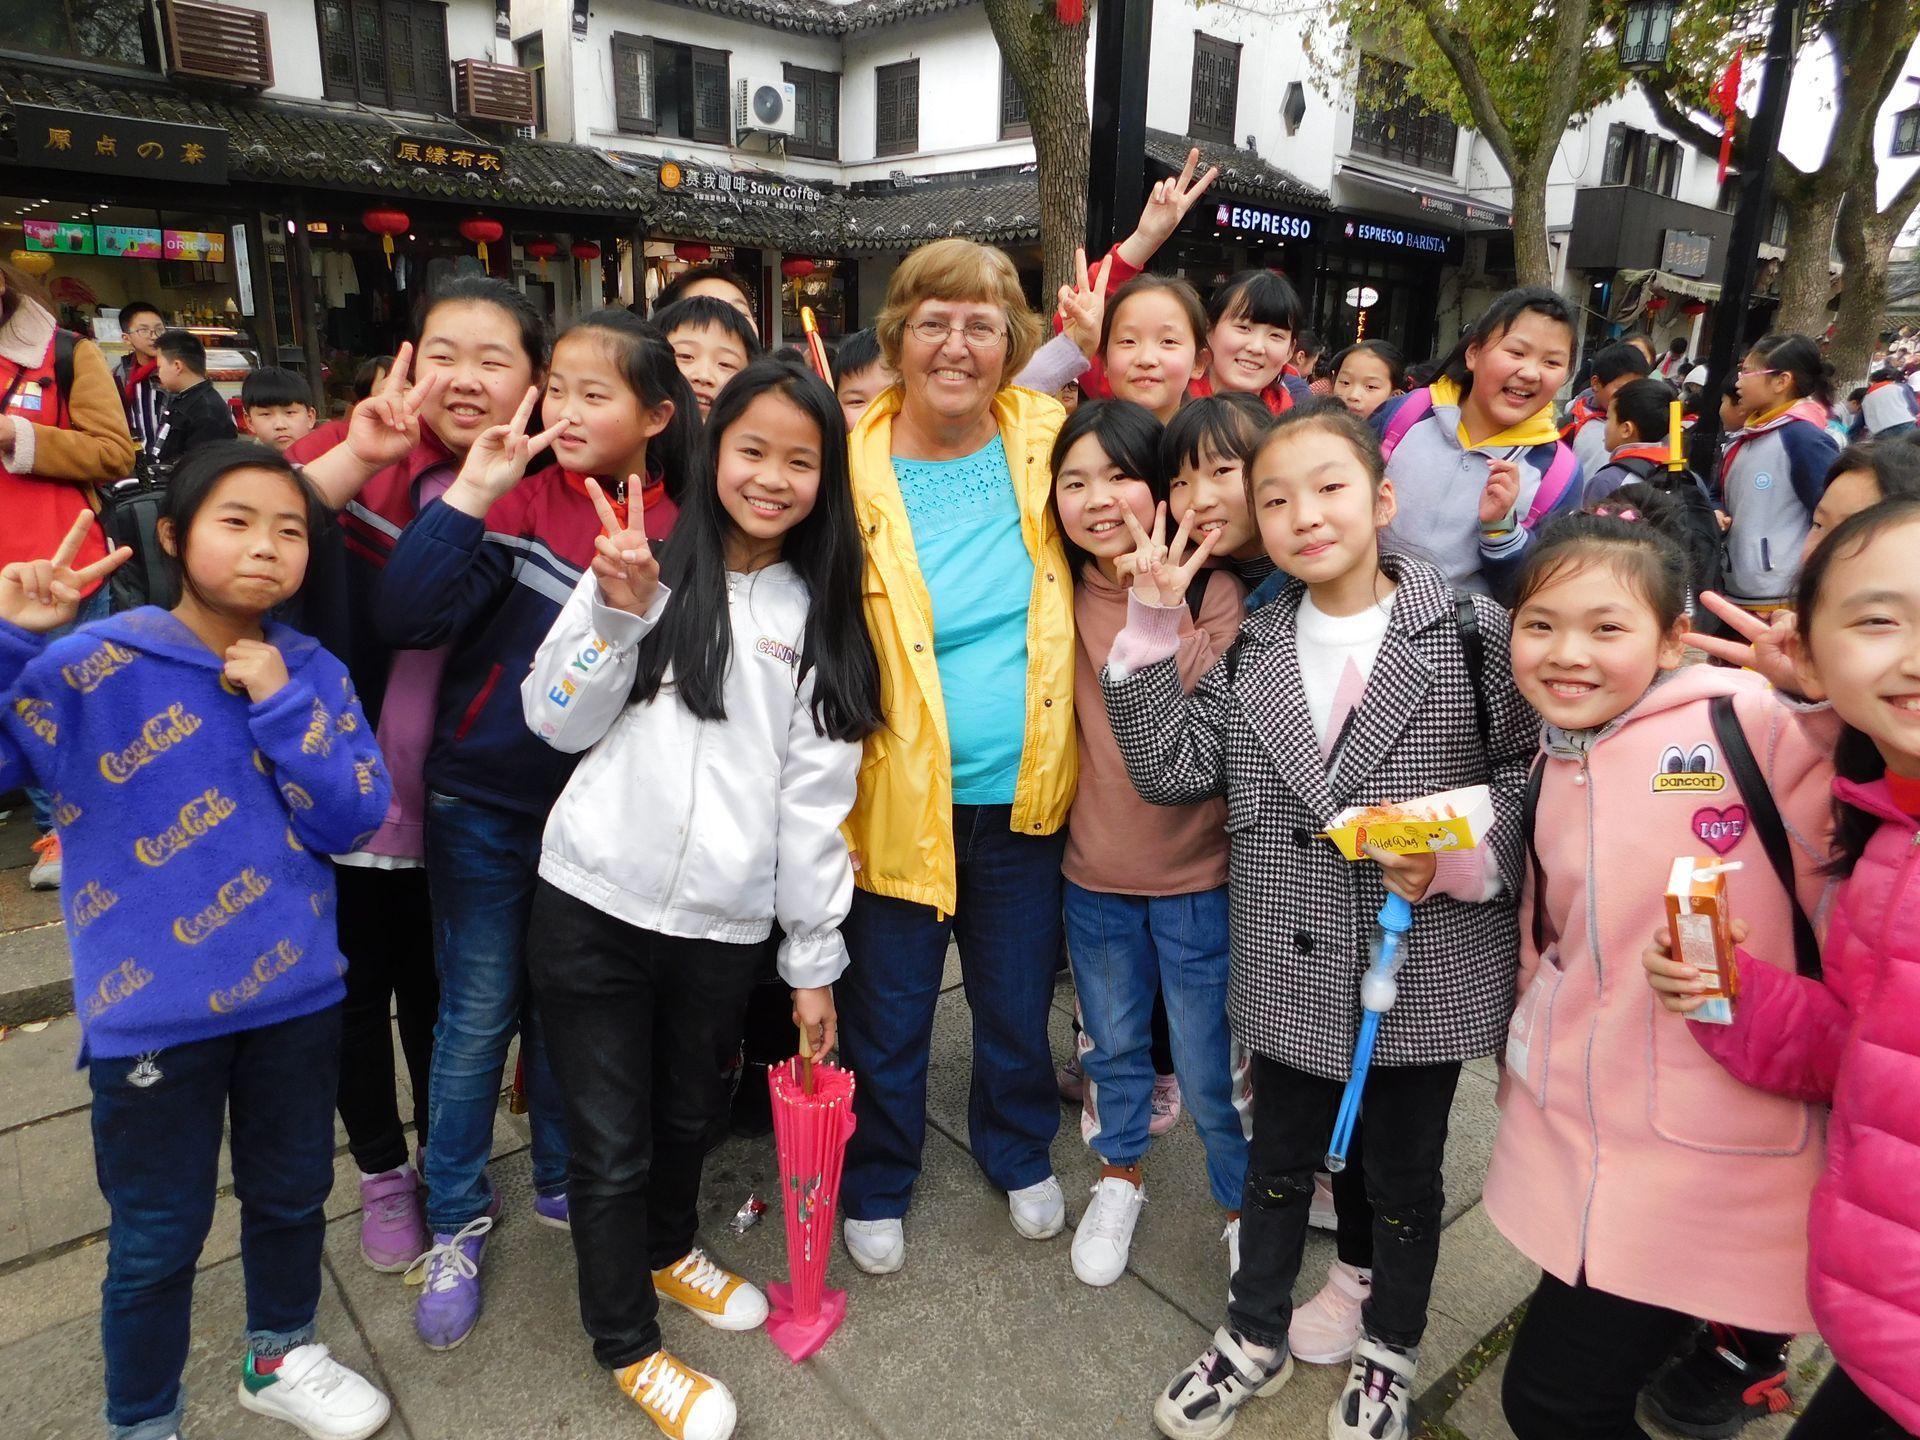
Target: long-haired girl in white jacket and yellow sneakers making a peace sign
x,y
721,698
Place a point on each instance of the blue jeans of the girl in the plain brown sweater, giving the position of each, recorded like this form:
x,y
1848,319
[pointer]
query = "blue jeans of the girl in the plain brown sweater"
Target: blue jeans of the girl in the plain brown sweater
x,y
1126,948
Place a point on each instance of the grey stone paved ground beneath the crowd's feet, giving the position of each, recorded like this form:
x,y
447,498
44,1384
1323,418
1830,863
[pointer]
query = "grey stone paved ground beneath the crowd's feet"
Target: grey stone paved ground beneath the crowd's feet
x,y
984,1335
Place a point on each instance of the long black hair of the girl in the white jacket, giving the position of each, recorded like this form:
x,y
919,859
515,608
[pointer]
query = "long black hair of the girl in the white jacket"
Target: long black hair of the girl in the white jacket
x,y
694,638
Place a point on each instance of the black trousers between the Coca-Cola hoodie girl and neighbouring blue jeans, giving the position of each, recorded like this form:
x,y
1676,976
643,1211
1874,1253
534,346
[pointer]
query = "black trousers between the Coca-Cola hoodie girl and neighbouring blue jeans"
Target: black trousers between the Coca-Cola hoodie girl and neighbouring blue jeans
x,y
387,936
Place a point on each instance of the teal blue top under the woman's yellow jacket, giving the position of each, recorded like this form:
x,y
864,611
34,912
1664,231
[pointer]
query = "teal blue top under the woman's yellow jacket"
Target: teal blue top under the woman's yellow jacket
x,y
980,577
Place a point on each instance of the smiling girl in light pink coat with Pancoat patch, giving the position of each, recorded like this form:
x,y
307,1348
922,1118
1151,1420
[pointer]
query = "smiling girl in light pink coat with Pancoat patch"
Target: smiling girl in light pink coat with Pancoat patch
x,y
1635,1172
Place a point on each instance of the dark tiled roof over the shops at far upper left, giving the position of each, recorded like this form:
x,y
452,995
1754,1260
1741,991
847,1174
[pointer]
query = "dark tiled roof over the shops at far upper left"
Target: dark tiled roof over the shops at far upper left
x,y
285,141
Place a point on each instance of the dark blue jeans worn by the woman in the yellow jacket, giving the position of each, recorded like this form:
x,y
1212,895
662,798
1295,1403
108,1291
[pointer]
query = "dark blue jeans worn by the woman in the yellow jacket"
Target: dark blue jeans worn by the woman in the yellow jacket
x,y
1007,926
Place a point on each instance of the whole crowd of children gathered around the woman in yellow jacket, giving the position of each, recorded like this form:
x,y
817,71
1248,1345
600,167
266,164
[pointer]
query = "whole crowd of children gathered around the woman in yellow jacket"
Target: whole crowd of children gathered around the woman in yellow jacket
x,y
640,696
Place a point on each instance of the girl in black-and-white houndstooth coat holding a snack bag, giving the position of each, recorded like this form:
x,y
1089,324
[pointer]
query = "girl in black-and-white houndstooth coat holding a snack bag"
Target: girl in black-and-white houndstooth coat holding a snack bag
x,y
1355,686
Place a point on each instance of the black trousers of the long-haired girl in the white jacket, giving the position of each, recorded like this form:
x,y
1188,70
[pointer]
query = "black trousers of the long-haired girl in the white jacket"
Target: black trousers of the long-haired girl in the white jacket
x,y
642,1032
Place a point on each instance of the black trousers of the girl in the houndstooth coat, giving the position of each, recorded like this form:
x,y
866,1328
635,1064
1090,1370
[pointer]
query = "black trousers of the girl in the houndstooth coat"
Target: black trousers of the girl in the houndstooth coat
x,y
1406,1138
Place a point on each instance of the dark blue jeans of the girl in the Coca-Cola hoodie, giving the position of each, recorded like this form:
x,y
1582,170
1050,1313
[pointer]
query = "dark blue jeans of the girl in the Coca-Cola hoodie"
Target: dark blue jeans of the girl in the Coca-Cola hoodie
x,y
156,1155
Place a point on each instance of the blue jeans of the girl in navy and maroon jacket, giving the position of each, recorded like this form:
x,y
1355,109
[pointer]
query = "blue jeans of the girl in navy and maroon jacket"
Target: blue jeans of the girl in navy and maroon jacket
x,y
481,871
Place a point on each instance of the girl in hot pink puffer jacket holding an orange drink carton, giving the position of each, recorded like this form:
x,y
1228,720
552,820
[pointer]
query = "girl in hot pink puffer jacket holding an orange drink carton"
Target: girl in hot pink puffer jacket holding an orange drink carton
x,y
1852,1040
